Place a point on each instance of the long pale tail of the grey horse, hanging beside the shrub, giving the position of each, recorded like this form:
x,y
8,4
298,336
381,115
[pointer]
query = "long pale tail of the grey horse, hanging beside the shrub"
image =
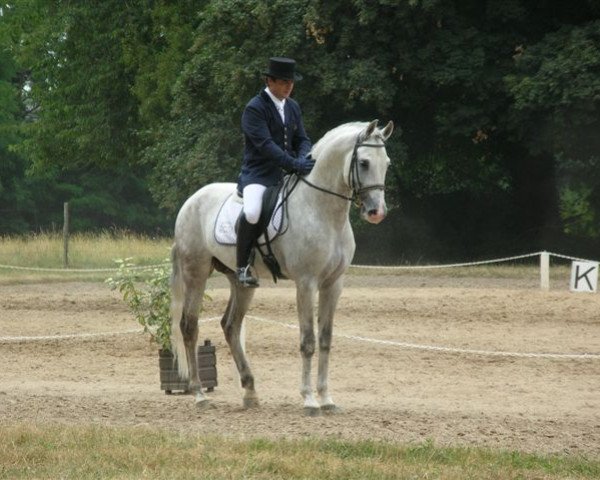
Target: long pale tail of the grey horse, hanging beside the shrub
x,y
177,299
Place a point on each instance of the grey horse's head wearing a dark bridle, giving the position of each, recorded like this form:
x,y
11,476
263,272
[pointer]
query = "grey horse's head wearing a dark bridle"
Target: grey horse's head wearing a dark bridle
x,y
367,169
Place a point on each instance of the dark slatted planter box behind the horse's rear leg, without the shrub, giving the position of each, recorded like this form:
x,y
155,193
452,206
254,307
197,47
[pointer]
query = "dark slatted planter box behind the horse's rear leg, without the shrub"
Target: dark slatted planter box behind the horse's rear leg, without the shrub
x,y
170,381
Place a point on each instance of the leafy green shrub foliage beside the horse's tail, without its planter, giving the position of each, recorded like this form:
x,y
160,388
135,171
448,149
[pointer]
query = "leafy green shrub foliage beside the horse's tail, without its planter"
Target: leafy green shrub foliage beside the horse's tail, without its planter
x,y
148,295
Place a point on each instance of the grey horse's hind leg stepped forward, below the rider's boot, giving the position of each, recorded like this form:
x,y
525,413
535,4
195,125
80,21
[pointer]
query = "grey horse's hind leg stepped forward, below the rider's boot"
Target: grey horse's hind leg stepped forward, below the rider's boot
x,y
239,301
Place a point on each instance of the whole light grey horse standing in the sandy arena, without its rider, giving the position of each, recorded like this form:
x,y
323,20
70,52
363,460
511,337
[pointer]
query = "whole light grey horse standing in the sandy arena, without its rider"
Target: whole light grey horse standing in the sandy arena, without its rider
x,y
315,251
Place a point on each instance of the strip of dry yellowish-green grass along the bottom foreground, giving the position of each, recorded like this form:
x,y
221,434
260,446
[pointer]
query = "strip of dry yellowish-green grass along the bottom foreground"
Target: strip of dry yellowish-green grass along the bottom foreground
x,y
107,452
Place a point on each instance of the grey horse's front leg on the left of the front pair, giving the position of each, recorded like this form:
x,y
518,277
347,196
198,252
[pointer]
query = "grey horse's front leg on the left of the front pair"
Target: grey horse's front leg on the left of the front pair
x,y
305,296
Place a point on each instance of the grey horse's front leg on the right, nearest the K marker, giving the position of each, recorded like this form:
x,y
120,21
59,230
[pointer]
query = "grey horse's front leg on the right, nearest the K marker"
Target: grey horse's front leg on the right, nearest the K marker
x,y
328,299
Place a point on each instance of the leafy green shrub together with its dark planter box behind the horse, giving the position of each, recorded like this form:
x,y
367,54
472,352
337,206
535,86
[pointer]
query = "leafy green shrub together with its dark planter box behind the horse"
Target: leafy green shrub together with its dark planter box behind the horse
x,y
148,295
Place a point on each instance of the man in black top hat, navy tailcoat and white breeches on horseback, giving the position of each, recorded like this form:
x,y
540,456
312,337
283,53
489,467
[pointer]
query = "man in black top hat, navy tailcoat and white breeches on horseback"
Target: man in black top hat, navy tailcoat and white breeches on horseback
x,y
274,140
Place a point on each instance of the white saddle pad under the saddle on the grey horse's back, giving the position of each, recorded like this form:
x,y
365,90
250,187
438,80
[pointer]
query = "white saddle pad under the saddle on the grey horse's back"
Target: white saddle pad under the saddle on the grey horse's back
x,y
229,213
